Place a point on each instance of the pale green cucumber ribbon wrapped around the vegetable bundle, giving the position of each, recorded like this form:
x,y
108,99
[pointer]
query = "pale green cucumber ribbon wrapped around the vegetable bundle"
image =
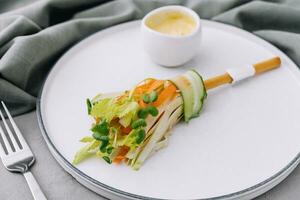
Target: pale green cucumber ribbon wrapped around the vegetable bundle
x,y
192,89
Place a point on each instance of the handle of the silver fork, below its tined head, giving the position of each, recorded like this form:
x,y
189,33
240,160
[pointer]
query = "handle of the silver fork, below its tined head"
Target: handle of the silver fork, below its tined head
x,y
34,186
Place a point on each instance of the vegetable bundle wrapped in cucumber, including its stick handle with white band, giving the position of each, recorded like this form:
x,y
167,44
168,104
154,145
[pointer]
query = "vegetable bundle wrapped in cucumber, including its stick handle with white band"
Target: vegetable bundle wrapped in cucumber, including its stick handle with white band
x,y
132,125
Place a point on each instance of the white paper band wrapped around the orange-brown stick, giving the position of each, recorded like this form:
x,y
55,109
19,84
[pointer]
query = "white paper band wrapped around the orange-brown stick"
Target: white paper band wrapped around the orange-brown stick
x,y
241,73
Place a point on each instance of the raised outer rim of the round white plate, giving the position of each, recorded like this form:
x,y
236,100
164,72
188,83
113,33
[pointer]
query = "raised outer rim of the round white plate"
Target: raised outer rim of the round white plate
x,y
79,173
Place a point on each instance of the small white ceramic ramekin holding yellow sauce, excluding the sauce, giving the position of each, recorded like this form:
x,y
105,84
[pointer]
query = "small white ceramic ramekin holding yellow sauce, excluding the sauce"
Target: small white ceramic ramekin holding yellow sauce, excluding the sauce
x,y
170,50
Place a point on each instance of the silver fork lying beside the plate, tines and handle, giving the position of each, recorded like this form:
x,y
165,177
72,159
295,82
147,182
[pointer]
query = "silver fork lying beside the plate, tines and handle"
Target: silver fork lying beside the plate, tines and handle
x,y
18,158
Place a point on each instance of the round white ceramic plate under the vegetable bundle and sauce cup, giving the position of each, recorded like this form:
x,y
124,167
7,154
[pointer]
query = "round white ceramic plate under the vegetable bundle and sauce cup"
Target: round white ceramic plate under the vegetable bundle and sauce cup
x,y
245,142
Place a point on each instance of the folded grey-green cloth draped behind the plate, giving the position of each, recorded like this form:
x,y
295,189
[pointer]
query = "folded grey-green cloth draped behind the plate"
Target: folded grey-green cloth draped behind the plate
x,y
33,35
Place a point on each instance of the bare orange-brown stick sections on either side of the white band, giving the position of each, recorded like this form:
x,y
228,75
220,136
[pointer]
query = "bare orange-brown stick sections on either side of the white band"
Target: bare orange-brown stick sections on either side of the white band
x,y
225,78
